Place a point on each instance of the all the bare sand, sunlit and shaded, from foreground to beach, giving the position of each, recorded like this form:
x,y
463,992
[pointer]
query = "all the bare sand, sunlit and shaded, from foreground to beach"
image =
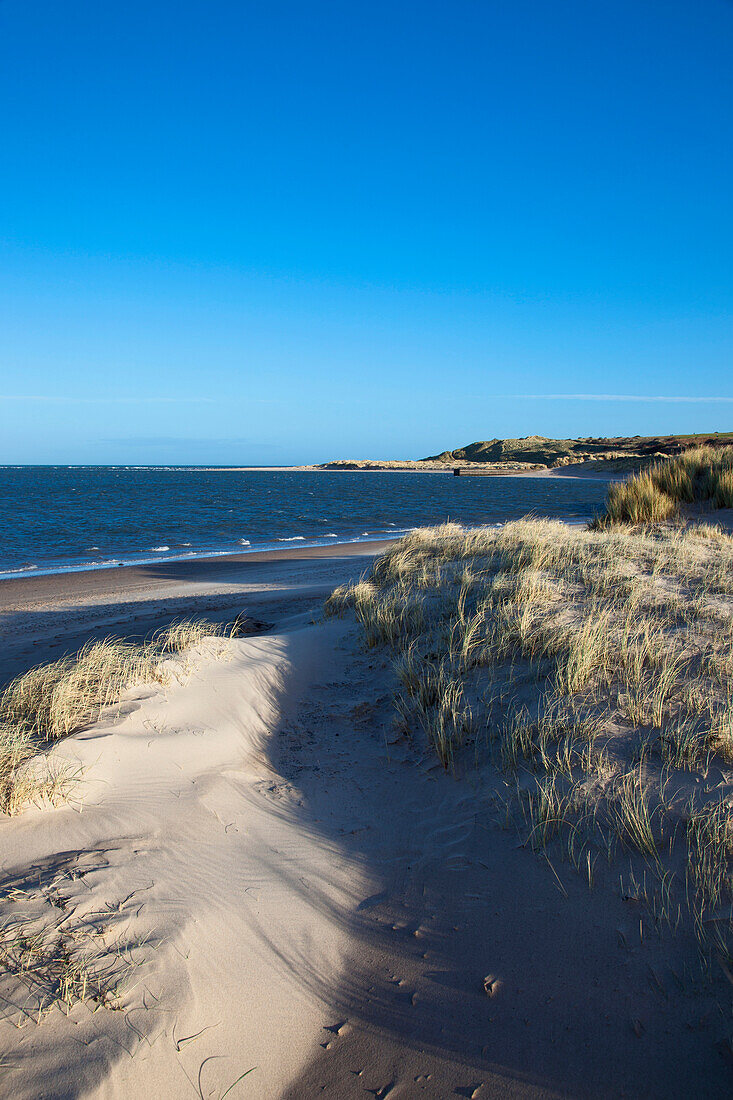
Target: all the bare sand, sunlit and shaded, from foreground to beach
x,y
311,897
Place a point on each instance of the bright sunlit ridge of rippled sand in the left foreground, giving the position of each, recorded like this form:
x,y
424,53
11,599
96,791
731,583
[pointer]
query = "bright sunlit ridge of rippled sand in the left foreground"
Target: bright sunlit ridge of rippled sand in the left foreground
x,y
188,844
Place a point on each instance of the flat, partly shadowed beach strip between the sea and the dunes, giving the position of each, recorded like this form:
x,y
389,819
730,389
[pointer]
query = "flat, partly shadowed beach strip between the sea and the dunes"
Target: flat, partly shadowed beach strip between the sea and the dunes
x,y
46,618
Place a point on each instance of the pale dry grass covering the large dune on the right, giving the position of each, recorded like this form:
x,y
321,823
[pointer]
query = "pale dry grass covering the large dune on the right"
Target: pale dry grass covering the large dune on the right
x,y
595,669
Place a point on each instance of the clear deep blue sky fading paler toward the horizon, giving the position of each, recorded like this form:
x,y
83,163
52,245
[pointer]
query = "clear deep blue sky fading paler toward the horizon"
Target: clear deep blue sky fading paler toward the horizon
x,y
279,233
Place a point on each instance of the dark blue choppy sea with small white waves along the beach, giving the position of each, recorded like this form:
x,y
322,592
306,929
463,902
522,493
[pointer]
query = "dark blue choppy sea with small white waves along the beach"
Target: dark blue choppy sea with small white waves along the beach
x,y
61,519
